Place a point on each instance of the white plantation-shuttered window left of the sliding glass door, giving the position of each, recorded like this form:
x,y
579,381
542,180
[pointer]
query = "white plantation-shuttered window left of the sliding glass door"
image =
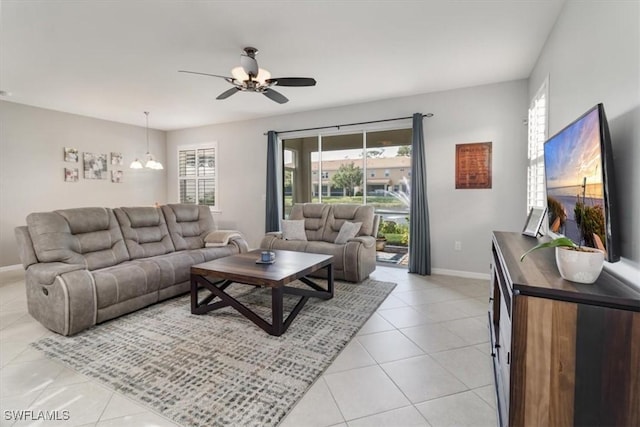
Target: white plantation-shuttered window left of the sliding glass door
x,y
197,174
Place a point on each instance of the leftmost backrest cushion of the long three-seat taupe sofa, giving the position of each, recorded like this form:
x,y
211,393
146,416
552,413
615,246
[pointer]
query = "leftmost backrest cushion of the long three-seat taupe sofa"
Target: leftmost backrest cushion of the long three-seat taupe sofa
x,y
86,236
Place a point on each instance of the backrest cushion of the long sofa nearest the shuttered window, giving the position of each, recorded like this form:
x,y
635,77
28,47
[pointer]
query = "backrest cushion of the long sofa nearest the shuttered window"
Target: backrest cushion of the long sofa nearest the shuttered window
x,y
188,225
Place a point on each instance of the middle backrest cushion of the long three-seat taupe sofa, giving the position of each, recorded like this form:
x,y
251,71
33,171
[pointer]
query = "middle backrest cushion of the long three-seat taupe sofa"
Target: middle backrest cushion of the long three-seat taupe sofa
x,y
145,231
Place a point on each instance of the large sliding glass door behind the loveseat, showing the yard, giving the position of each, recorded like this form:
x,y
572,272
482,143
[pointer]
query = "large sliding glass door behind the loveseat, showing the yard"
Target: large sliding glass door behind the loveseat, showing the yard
x,y
372,168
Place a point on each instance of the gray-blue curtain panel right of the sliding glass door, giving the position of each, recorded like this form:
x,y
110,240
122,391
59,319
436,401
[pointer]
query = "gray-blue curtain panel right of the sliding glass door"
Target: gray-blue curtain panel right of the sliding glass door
x,y
419,239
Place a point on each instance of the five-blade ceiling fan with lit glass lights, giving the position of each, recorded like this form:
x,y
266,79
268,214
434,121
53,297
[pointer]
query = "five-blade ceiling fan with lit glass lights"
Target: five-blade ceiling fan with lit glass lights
x,y
249,78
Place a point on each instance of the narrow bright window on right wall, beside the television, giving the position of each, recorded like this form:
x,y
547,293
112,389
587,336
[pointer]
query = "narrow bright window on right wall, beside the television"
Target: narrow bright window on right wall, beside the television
x,y
538,113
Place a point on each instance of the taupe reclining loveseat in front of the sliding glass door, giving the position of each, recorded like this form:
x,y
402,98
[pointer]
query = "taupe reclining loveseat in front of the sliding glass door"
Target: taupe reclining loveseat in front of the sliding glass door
x,y
354,260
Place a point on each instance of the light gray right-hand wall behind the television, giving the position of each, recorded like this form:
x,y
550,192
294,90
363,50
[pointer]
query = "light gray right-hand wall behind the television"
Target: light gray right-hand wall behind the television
x,y
591,56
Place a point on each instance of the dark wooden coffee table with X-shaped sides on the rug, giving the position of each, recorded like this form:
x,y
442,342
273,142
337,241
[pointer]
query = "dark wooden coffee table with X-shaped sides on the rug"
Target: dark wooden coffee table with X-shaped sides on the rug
x,y
216,276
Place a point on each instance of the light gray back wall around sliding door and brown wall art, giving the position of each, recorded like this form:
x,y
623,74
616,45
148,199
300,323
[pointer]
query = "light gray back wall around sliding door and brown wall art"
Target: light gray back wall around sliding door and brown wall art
x,y
487,113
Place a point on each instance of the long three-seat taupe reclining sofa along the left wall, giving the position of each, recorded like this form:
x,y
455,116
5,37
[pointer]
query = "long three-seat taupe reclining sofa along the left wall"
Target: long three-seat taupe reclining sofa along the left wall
x,y
88,265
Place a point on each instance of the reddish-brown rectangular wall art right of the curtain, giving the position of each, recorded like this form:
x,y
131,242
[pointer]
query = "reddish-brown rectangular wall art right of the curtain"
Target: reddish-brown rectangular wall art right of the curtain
x,y
473,165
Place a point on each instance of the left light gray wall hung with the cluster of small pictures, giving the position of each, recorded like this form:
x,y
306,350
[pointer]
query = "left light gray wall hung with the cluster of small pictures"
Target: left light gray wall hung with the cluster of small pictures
x,y
32,166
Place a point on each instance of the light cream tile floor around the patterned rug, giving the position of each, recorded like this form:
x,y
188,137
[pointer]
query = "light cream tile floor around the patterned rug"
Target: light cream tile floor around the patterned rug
x,y
421,360
